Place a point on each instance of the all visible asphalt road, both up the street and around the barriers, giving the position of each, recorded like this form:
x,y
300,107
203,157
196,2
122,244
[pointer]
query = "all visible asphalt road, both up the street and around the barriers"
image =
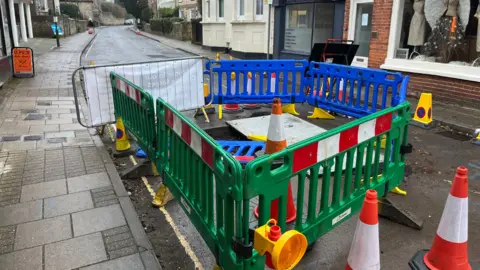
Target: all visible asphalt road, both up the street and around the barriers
x,y
430,170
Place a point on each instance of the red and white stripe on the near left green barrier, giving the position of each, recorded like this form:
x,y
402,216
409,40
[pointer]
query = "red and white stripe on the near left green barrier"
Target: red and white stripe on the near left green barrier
x,y
203,148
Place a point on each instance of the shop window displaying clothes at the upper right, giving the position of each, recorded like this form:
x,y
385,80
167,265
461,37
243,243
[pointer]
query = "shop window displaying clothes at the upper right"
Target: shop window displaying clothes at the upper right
x,y
440,31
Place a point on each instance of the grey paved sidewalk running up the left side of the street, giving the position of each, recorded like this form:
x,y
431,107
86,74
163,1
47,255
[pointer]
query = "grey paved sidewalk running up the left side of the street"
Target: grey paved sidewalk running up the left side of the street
x,y
62,203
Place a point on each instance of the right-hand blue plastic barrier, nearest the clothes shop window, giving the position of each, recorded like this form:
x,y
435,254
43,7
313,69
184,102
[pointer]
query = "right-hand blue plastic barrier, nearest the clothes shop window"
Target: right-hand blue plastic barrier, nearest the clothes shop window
x,y
365,90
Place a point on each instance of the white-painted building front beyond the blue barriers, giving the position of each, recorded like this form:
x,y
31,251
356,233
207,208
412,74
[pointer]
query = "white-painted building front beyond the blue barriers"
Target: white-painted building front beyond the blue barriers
x,y
239,25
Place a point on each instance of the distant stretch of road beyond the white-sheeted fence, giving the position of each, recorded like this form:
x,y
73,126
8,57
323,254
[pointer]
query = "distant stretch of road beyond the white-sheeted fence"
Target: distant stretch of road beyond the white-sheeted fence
x,y
118,44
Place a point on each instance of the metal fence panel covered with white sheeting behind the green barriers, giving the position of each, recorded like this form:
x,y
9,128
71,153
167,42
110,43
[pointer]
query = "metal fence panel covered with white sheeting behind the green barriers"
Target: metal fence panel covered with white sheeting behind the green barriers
x,y
179,81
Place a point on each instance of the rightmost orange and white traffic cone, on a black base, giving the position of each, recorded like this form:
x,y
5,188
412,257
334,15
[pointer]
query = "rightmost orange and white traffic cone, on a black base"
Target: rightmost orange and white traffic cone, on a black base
x,y
449,249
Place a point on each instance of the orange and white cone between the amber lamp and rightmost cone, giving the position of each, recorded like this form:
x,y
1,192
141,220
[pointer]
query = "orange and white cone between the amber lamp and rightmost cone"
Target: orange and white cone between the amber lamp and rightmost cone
x,y
365,248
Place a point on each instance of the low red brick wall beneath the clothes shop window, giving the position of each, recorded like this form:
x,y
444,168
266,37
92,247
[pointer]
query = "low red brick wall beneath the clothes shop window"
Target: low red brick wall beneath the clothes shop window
x,y
446,89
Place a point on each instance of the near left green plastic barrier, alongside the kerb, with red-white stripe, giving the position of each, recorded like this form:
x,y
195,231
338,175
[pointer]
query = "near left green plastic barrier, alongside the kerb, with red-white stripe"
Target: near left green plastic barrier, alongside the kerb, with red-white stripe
x,y
204,178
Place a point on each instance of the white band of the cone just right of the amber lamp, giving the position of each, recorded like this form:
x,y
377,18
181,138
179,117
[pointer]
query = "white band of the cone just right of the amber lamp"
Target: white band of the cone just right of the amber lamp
x,y
365,249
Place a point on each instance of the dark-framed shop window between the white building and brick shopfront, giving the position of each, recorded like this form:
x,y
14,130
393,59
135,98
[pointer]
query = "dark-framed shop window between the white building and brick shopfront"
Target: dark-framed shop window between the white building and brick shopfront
x,y
307,24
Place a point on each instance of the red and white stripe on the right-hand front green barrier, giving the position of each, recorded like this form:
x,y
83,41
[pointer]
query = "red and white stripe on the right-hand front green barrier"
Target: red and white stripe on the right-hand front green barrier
x,y
321,150
